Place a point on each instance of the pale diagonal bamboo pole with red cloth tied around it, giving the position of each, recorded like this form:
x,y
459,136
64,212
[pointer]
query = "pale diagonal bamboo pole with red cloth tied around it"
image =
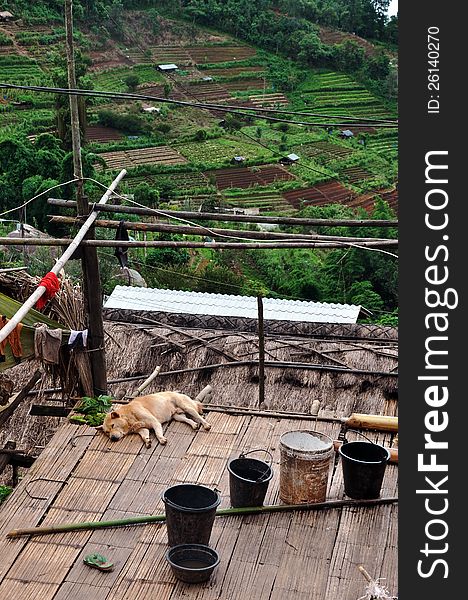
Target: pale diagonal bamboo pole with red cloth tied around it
x,y
31,301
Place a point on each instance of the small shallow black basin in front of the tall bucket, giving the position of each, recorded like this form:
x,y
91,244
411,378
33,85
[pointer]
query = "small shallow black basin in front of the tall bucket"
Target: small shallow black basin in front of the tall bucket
x,y
192,563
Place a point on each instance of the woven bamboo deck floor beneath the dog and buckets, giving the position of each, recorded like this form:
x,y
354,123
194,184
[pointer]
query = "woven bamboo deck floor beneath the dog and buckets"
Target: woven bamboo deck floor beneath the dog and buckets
x,y
82,476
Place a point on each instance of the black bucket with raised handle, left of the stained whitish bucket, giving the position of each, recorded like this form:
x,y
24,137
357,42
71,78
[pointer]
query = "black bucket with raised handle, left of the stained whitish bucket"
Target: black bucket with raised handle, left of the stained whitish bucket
x,y
248,480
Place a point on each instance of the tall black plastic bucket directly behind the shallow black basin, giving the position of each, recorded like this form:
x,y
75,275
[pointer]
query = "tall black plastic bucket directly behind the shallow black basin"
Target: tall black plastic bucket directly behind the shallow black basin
x,y
190,513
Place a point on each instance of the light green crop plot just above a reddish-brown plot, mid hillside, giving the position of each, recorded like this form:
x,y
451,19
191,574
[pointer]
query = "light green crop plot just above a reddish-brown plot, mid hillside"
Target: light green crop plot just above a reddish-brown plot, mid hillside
x,y
220,150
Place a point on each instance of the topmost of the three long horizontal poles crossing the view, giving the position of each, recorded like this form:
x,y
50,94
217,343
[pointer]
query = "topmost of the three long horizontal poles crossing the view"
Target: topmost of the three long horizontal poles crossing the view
x,y
204,216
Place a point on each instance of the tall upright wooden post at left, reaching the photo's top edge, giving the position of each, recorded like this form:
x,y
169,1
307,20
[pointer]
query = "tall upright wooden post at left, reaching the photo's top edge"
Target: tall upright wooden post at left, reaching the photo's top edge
x,y
91,281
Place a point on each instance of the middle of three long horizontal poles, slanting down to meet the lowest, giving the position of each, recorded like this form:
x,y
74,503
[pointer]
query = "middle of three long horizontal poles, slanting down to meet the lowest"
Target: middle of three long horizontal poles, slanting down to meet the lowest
x,y
198,230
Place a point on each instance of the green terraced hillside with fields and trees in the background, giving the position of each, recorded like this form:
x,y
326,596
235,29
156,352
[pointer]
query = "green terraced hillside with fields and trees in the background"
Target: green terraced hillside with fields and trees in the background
x,y
295,57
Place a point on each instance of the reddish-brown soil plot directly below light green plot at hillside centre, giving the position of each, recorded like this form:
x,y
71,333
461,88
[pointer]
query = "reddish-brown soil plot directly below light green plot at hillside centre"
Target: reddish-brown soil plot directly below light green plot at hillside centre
x,y
245,177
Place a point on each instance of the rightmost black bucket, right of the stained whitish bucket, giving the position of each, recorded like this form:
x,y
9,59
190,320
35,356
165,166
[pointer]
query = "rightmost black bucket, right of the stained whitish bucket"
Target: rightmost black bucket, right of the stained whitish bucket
x,y
364,466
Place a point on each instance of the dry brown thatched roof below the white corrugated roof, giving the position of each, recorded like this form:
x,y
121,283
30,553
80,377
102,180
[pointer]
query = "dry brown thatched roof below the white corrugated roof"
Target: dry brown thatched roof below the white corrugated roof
x,y
345,376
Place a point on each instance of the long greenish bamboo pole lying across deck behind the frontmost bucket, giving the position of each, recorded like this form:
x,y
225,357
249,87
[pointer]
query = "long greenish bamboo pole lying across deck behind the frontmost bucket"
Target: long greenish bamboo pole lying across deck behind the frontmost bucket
x,y
255,510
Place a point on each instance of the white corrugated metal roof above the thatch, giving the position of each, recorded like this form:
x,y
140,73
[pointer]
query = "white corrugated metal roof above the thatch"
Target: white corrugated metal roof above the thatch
x,y
198,303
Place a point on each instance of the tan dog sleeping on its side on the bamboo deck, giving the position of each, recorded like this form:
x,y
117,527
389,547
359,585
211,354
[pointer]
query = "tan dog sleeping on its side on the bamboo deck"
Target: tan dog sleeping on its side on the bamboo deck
x,y
149,412
